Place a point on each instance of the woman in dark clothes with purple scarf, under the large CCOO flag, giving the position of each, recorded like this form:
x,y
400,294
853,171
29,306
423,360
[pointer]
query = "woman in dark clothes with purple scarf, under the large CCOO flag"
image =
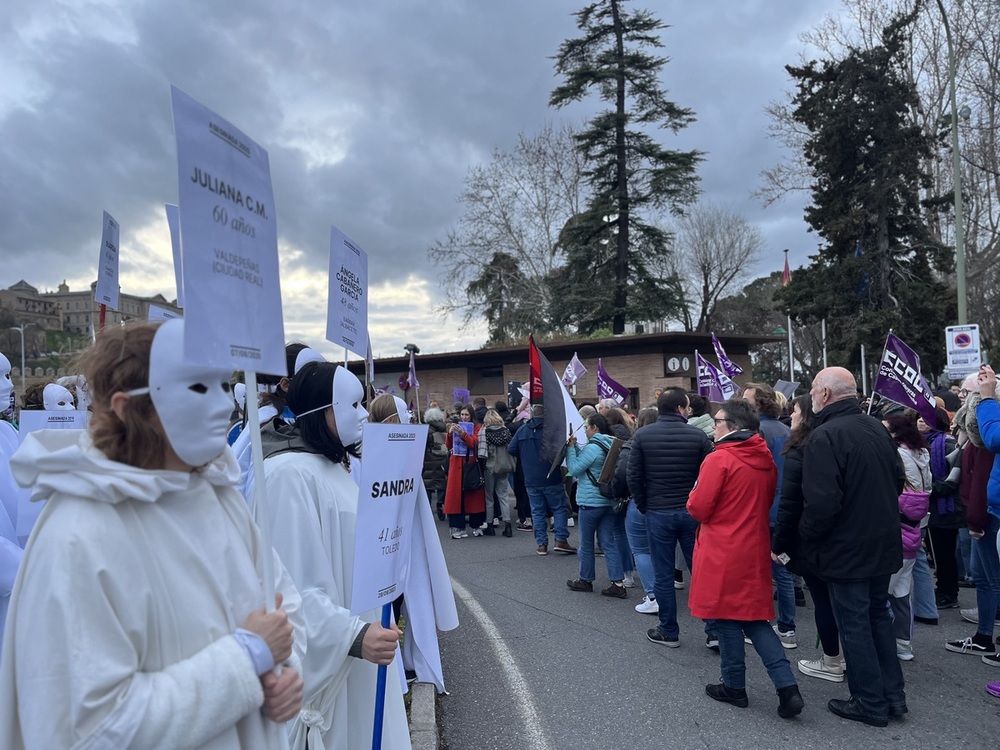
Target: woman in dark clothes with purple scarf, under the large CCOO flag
x,y
947,511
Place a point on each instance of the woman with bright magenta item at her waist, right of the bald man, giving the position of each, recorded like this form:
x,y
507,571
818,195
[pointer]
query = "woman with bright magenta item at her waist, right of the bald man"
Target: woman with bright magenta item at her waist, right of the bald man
x,y
913,504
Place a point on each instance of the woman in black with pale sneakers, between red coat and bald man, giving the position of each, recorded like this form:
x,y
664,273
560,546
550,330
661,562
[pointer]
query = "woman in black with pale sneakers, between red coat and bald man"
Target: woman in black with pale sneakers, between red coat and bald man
x,y
785,541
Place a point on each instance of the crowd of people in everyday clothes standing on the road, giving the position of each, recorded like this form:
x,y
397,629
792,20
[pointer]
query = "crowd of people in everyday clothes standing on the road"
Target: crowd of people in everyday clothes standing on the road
x,y
763,499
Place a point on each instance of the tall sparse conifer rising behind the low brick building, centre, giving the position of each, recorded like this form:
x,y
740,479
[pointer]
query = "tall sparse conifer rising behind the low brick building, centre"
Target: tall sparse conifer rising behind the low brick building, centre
x,y
628,171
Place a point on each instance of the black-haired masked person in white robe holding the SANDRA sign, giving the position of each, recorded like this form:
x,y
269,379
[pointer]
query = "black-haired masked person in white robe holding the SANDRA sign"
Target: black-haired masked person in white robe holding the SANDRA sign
x,y
312,513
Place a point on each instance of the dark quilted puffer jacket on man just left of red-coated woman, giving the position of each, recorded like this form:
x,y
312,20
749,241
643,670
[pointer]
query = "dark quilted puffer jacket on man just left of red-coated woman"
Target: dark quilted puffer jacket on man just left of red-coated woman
x,y
664,461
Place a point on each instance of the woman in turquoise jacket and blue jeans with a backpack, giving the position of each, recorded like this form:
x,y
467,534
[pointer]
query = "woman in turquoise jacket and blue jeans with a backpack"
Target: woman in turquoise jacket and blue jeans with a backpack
x,y
596,513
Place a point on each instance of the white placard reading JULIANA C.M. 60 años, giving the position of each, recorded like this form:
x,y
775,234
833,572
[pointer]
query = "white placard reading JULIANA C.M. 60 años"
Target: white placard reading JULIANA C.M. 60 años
x,y
229,246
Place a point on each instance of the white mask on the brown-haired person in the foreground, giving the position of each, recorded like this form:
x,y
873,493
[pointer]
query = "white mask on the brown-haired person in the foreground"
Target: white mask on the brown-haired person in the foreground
x,y
193,402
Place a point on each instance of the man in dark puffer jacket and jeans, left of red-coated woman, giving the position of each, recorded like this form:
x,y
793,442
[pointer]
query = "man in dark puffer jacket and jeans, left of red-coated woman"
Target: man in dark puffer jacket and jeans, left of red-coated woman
x,y
662,468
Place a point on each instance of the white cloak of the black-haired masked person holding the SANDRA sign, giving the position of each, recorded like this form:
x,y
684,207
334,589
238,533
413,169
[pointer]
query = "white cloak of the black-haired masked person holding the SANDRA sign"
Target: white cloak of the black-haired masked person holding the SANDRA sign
x,y
313,510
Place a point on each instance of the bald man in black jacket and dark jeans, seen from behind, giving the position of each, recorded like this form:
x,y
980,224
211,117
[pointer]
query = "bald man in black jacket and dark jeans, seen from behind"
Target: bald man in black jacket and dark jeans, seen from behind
x,y
849,534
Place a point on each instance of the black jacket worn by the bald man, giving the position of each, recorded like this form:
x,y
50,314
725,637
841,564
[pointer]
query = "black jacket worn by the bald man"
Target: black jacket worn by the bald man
x,y
852,478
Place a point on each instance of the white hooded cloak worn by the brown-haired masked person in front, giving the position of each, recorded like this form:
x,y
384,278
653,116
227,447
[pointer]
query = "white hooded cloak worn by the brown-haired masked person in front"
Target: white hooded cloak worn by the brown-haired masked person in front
x,y
120,625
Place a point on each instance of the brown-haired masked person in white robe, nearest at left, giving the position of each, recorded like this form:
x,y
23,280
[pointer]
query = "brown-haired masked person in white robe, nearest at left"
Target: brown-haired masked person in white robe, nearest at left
x,y
137,619
